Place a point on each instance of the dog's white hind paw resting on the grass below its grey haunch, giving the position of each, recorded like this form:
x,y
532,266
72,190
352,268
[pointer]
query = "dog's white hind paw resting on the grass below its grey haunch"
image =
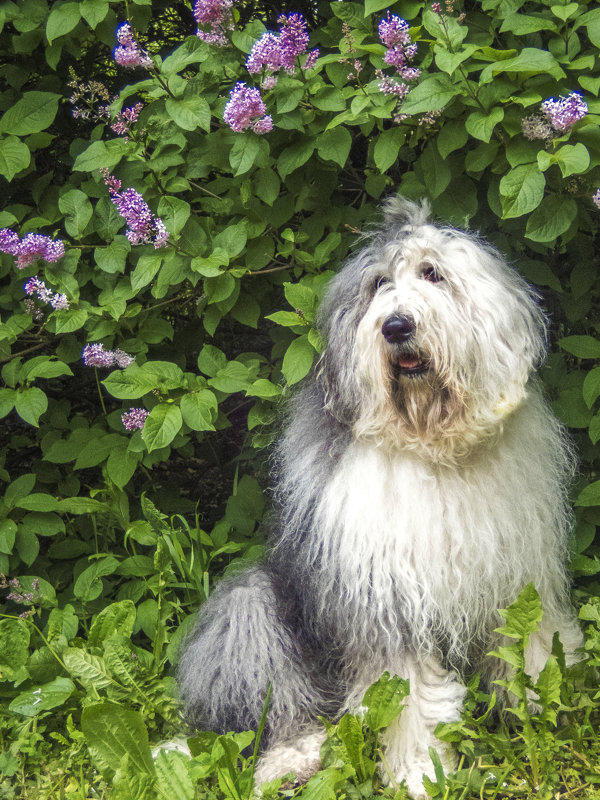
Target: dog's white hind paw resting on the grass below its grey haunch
x,y
300,757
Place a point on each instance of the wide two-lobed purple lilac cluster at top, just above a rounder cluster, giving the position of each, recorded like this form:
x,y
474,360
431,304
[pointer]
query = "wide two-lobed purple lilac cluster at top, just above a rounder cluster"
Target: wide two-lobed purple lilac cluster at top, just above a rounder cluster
x,y
273,52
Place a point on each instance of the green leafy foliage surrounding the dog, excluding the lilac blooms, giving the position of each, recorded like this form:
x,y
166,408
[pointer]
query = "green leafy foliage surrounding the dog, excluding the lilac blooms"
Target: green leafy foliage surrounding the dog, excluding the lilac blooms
x,y
104,526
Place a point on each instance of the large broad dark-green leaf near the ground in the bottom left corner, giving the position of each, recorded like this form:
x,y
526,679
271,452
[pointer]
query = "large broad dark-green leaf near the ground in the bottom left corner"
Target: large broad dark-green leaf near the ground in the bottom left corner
x,y
112,731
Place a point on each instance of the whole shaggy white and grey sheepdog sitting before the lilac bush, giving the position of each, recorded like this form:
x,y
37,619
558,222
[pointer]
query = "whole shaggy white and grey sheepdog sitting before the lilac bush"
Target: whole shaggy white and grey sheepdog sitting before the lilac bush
x,y
420,485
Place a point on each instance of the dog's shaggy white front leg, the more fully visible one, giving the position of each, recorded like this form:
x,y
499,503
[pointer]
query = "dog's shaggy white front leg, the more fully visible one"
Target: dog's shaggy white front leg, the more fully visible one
x,y
436,695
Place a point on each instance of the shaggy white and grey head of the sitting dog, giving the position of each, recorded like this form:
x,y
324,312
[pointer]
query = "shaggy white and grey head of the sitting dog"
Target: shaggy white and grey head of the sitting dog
x,y
429,332
